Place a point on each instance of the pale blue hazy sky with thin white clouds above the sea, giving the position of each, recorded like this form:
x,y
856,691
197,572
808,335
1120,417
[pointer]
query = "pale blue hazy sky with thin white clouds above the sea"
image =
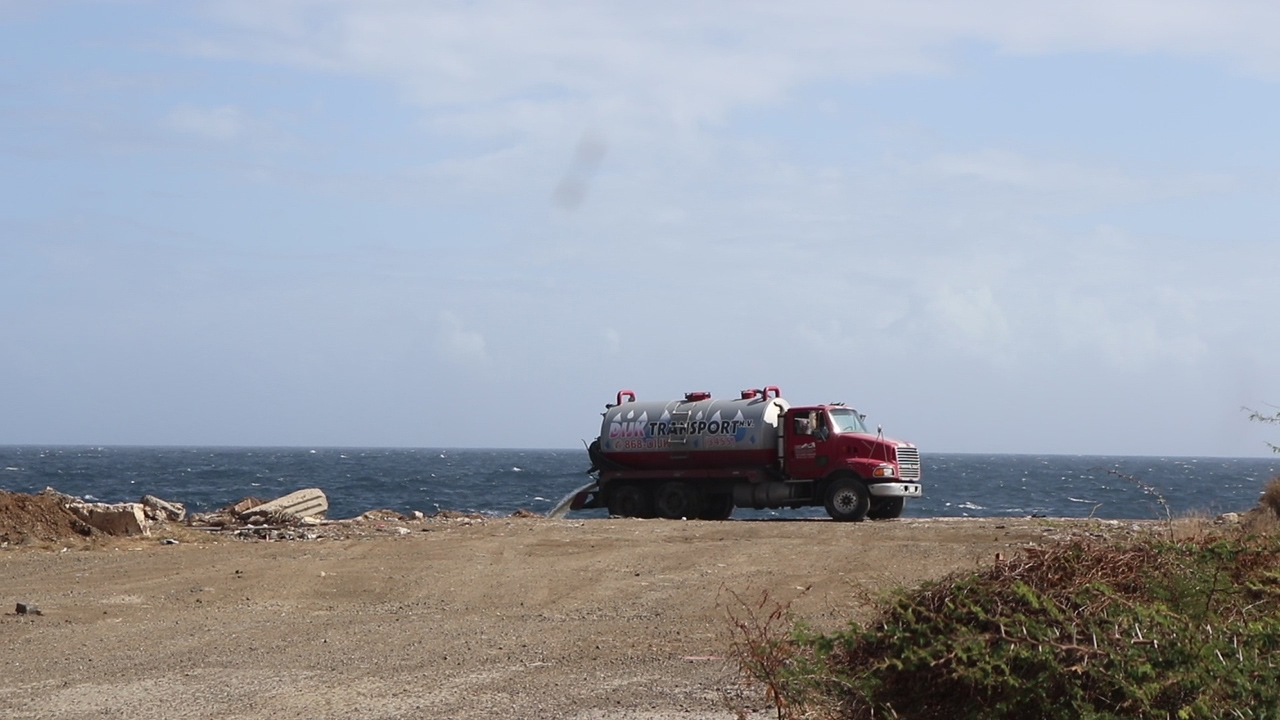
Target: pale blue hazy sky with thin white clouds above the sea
x,y
990,226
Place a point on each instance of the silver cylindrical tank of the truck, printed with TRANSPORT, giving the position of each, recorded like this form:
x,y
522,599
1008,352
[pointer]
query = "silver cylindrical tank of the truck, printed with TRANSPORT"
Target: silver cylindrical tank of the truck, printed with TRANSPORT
x,y
694,432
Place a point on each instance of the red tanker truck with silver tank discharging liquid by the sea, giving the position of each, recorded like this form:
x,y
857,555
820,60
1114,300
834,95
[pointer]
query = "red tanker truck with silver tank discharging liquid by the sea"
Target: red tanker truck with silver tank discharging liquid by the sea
x,y
702,458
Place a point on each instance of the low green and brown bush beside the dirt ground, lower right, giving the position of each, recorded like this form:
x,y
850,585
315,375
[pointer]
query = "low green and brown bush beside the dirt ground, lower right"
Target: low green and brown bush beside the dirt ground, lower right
x,y
1155,630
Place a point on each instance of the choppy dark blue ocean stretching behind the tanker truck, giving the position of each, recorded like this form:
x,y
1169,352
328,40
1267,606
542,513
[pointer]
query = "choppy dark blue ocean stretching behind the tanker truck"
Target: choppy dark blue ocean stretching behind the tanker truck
x,y
500,482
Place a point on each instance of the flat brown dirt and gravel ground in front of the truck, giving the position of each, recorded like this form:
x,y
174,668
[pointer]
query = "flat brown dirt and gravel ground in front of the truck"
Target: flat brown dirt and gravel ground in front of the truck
x,y
456,618
